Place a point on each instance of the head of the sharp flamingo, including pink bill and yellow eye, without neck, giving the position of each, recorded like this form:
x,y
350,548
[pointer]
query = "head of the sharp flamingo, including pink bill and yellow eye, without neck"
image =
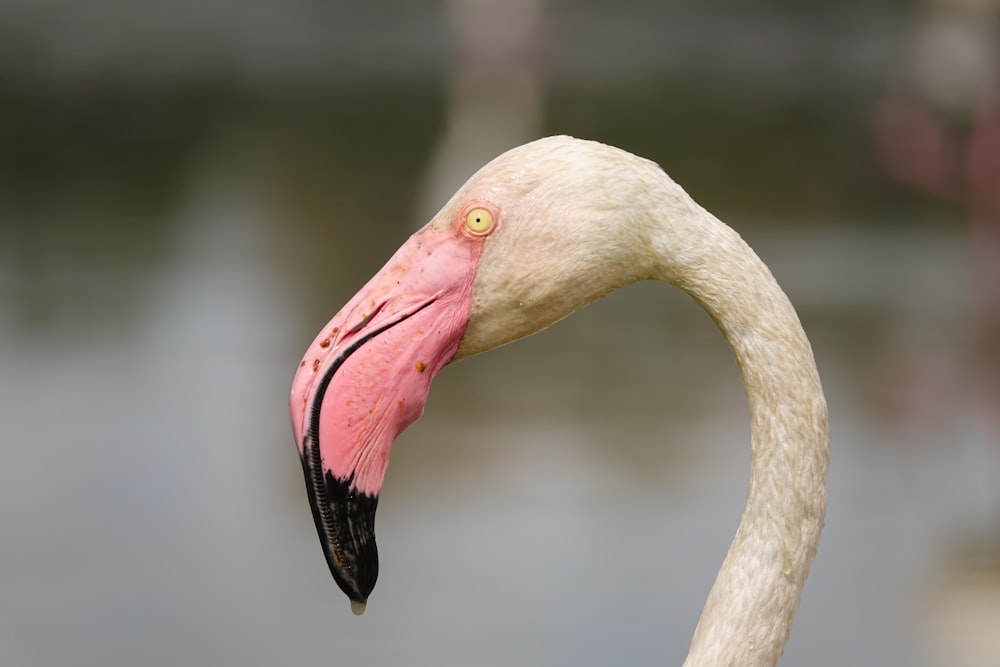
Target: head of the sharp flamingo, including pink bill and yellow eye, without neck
x,y
523,243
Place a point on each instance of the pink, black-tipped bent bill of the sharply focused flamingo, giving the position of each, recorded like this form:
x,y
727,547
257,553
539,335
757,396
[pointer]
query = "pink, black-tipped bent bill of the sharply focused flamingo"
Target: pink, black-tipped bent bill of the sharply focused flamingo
x,y
366,378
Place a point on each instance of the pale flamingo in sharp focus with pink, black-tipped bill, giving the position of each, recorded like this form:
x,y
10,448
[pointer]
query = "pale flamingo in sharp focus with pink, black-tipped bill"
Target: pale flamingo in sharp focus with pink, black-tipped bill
x,y
538,232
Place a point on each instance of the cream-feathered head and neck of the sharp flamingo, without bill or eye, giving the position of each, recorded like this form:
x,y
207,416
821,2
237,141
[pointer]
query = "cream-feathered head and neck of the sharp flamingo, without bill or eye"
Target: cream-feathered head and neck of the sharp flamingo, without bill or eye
x,y
635,223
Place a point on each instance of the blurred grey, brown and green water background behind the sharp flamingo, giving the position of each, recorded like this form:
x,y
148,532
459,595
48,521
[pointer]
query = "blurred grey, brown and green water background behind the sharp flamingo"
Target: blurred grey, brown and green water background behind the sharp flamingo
x,y
189,190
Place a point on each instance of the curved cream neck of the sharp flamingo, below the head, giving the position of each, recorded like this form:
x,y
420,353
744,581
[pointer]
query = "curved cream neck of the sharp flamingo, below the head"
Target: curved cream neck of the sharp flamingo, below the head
x,y
748,615
